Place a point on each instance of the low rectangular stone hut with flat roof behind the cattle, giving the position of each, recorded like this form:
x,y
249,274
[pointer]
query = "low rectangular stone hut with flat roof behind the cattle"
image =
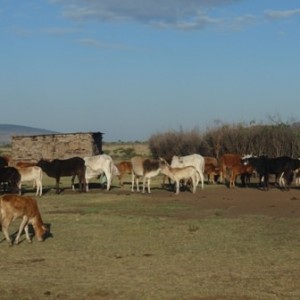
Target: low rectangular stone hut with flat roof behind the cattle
x,y
51,146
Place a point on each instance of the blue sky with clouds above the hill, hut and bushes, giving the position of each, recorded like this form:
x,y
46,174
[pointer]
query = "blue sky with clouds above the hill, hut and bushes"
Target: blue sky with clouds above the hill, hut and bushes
x,y
134,68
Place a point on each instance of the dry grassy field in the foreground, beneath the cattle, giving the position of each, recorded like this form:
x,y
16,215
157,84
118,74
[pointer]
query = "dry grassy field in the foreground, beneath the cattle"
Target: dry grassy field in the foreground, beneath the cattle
x,y
123,245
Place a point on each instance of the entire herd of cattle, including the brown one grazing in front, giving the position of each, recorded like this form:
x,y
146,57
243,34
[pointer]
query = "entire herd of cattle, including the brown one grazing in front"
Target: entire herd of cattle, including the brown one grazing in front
x,y
187,171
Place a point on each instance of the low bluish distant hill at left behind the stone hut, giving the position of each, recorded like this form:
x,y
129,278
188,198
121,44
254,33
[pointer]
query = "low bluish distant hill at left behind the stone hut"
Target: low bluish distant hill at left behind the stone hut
x,y
8,130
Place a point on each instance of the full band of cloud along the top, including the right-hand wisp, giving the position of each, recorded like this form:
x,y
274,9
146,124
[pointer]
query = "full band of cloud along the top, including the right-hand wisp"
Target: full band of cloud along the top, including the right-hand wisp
x,y
185,15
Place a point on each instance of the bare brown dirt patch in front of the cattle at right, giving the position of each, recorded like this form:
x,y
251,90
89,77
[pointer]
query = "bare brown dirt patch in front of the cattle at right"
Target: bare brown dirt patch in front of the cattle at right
x,y
231,203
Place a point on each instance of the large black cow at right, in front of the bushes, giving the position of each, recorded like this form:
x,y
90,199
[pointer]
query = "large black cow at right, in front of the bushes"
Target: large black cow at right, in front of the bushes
x,y
280,166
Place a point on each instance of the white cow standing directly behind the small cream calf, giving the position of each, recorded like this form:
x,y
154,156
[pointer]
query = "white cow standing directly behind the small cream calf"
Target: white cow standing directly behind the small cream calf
x,y
195,160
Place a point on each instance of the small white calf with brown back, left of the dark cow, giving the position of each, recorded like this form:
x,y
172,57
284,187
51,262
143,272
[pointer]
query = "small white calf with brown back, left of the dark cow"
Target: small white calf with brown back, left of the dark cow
x,y
34,174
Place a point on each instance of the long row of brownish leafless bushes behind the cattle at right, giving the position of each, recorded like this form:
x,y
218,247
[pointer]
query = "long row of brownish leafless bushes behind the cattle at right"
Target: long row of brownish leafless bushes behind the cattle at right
x,y
280,139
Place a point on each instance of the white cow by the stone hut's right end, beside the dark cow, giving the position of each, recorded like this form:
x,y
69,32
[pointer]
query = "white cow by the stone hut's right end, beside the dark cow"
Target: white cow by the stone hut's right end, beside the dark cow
x,y
97,165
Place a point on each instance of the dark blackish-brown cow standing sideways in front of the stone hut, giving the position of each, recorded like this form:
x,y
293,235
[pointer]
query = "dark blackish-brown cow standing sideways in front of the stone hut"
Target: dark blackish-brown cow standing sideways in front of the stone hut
x,y
65,167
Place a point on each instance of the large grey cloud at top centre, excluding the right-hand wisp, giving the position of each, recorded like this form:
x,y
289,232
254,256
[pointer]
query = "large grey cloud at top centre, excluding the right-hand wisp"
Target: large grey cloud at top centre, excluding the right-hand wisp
x,y
177,14
